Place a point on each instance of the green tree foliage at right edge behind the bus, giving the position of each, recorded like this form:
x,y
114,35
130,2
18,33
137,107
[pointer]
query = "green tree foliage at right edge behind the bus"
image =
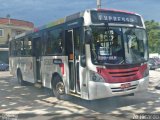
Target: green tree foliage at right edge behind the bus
x,y
153,31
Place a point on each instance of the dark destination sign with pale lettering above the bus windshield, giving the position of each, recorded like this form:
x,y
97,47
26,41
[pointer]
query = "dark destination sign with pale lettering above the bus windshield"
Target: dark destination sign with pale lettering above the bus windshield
x,y
115,17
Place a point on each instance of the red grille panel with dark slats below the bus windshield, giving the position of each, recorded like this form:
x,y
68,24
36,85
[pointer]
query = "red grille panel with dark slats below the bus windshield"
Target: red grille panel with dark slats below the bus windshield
x,y
122,75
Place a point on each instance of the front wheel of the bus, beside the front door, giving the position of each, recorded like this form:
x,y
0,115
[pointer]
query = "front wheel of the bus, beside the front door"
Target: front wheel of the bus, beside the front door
x,y
58,87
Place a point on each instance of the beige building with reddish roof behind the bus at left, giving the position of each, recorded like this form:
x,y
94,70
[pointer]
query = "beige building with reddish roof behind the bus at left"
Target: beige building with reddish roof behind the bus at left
x,y
10,28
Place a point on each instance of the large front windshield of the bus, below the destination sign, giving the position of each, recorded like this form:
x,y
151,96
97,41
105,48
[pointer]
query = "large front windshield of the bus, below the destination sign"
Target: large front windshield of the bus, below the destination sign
x,y
118,45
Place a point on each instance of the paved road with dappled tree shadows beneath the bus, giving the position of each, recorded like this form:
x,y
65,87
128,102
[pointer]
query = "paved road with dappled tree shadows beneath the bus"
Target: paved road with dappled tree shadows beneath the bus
x,y
31,103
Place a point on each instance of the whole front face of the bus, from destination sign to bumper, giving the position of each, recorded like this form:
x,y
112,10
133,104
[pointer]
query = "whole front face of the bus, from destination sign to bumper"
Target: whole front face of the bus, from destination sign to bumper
x,y
117,54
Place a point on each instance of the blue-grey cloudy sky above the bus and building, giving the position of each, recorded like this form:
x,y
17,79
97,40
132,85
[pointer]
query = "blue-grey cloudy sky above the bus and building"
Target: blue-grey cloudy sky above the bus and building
x,y
41,12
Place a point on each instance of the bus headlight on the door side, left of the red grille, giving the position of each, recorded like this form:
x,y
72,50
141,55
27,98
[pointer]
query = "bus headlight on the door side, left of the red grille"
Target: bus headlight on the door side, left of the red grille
x,y
96,77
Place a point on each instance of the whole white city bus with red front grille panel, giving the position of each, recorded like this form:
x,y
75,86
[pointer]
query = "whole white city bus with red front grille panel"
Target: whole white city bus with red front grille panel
x,y
76,55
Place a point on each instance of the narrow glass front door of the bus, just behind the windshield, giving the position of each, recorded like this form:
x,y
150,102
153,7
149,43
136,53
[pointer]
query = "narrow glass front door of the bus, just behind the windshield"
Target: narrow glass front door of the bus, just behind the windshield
x,y
73,60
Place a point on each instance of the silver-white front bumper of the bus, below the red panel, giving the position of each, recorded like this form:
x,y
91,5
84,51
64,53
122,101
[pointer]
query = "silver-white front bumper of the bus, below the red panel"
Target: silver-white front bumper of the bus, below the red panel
x,y
99,90
